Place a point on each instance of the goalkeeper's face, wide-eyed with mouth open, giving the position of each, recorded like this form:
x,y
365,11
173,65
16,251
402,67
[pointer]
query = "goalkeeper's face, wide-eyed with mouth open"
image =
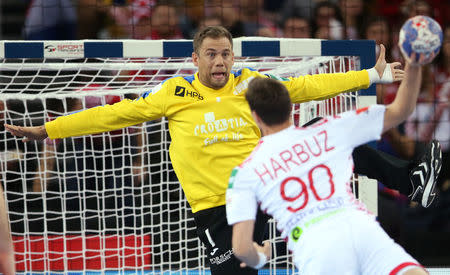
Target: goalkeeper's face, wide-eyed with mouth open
x,y
214,61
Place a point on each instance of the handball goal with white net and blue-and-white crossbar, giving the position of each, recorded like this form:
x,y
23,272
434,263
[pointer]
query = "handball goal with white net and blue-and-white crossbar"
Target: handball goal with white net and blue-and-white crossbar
x,y
110,203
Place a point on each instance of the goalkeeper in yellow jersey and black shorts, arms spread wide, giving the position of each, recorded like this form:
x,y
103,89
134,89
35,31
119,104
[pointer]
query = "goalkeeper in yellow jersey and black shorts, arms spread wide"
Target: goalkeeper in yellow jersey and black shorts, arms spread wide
x,y
211,127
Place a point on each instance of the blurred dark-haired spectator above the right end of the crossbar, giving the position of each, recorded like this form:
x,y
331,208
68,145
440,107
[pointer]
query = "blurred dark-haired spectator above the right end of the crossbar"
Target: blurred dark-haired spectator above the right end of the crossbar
x,y
327,21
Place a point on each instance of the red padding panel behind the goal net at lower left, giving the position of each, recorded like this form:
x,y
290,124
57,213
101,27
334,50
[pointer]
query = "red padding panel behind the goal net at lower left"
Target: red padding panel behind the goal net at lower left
x,y
31,253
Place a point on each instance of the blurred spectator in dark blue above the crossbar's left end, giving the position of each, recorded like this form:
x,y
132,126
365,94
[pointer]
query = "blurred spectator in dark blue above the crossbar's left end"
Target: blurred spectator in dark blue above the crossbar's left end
x,y
50,20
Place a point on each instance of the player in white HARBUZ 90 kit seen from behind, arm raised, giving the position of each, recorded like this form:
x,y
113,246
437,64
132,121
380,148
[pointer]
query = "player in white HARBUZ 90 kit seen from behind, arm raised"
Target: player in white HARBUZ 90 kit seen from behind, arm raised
x,y
301,177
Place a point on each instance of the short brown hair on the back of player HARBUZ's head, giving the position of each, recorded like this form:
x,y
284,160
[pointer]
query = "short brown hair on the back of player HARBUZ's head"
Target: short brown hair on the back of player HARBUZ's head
x,y
270,99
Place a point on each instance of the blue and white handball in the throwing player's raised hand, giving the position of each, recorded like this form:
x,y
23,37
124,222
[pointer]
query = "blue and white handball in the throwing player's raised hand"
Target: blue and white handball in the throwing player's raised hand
x,y
420,34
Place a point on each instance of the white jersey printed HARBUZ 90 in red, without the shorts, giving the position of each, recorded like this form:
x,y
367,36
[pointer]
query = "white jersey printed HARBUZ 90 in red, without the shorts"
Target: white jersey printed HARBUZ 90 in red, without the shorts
x,y
301,175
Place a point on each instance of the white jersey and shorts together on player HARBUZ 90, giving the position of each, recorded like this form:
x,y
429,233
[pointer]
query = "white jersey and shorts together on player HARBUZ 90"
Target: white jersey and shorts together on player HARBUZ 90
x,y
301,177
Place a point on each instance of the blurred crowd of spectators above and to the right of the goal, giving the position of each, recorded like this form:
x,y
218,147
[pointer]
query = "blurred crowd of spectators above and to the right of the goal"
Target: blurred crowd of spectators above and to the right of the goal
x,y
378,20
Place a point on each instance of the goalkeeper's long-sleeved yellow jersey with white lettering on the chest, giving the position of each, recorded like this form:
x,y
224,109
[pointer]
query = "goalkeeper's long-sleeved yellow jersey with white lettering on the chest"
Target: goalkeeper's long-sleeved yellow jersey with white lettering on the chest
x,y
212,130
